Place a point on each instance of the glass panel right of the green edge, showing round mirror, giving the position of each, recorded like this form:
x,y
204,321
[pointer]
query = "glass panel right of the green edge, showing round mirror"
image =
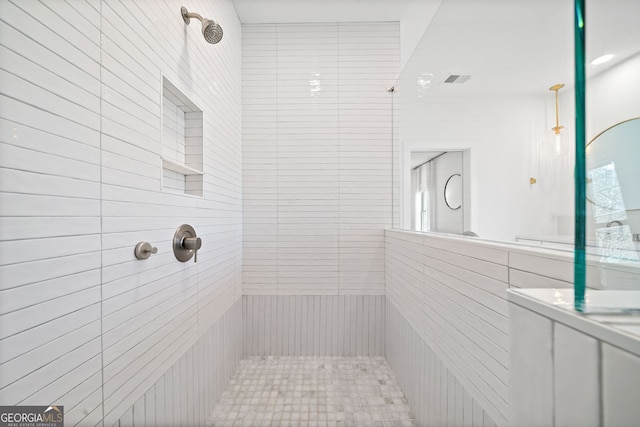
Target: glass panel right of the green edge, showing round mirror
x,y
612,154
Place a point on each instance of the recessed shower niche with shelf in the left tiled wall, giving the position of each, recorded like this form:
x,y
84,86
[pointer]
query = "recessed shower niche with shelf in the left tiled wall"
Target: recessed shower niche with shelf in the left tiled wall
x,y
182,141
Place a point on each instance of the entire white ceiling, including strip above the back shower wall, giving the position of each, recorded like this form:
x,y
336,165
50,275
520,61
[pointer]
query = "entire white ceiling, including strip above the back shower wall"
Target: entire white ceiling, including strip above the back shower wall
x,y
509,46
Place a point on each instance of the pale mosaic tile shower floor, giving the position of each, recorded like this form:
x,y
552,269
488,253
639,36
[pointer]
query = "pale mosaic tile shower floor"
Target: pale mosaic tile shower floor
x,y
313,391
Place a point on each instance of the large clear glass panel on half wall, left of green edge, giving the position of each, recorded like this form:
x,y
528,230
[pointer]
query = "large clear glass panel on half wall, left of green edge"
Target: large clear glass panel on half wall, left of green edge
x,y
478,83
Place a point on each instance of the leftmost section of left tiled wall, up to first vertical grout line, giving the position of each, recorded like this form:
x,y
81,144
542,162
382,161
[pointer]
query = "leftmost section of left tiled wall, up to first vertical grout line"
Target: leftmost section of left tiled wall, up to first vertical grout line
x,y
50,208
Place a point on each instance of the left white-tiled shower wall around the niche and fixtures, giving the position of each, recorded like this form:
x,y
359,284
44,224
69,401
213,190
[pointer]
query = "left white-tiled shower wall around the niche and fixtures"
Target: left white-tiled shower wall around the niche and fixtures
x,y
80,318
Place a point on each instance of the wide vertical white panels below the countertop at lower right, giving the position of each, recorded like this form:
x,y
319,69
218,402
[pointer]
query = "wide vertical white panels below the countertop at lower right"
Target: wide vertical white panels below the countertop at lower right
x,y
584,371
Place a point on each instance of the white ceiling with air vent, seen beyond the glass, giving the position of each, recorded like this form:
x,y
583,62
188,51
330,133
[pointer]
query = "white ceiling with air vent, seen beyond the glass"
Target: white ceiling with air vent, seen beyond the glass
x,y
517,46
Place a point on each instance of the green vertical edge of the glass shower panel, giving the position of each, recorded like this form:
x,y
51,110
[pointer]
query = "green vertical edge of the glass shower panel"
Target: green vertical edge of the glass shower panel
x,y
579,266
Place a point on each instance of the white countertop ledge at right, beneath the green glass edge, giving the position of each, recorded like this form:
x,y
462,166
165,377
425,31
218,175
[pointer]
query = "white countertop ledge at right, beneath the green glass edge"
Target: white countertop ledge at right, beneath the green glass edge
x,y
611,316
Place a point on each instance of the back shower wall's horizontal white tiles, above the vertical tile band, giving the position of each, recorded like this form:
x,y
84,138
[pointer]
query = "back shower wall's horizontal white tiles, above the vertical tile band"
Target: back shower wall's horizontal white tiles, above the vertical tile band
x,y
317,156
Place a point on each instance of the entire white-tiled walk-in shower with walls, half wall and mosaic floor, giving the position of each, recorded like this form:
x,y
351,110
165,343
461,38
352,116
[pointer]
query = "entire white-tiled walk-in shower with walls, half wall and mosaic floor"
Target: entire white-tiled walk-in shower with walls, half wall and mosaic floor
x,y
304,307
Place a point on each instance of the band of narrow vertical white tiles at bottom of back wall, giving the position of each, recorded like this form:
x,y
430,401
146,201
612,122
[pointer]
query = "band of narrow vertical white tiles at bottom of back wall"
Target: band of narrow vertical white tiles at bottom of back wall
x,y
313,325
